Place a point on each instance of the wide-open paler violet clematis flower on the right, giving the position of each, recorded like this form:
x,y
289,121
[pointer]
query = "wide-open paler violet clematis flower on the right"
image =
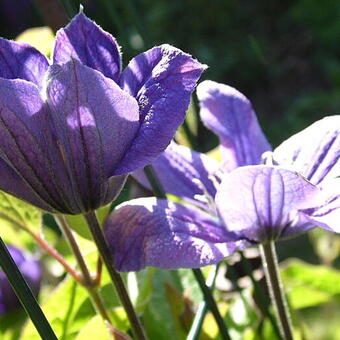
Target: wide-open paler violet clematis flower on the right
x,y
244,203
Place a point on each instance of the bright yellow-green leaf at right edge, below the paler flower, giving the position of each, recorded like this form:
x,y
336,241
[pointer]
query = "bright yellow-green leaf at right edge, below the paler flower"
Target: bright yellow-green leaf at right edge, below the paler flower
x,y
309,285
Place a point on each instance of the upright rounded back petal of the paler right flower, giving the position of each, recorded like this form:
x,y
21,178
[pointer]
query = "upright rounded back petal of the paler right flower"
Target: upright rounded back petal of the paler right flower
x,y
229,114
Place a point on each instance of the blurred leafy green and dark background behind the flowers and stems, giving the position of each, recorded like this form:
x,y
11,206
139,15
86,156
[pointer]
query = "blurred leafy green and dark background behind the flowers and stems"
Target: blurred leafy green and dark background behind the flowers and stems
x,y
285,56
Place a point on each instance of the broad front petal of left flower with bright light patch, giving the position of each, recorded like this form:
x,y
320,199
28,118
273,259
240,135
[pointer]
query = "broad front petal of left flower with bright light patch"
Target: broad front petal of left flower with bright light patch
x,y
95,122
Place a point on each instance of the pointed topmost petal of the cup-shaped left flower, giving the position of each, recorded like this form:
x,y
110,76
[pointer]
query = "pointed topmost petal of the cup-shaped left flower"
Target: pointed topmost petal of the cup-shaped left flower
x,y
84,40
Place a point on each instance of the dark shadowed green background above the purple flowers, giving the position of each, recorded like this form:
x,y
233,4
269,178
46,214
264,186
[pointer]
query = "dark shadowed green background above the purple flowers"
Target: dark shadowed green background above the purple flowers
x,y
284,55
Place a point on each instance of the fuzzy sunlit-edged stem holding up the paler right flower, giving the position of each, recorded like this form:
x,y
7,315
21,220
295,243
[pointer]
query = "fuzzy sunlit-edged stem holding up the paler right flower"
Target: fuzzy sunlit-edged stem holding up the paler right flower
x,y
272,273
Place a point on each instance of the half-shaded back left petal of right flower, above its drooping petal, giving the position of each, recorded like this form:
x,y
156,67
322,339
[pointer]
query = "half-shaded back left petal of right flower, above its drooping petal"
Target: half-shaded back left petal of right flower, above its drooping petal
x,y
176,168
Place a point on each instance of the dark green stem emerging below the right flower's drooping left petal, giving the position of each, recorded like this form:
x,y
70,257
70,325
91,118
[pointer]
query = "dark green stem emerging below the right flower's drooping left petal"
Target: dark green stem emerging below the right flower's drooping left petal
x,y
212,304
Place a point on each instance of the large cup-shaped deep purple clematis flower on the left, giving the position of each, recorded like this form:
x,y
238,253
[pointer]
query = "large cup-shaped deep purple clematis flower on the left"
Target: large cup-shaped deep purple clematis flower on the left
x,y
70,132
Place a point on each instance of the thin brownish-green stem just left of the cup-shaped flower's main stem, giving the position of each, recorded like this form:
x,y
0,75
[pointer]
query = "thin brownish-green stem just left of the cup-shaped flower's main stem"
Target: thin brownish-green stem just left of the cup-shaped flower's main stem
x,y
87,280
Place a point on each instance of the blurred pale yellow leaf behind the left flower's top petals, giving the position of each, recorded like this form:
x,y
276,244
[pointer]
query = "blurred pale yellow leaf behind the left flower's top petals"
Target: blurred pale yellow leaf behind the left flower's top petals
x,y
42,38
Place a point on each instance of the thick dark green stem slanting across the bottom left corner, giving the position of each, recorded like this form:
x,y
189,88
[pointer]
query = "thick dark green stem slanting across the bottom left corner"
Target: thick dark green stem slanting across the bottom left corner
x,y
25,294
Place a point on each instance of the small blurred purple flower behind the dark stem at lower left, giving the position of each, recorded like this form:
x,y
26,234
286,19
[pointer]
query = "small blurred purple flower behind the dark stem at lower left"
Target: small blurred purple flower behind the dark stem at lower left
x,y
31,271
